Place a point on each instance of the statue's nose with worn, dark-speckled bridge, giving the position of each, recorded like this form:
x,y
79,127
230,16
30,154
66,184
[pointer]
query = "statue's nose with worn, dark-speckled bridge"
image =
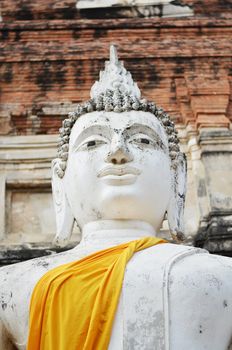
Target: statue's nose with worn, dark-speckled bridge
x,y
119,154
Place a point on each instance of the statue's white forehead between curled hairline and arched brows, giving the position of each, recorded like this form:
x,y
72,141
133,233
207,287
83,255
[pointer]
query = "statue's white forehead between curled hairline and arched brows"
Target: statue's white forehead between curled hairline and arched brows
x,y
119,121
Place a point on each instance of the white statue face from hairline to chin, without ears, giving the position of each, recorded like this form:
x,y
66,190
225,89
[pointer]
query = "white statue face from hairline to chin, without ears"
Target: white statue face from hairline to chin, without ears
x,y
118,168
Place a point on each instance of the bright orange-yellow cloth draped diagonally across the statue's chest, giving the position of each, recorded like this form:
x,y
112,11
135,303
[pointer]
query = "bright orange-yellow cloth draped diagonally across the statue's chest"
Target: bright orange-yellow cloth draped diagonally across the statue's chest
x,y
73,306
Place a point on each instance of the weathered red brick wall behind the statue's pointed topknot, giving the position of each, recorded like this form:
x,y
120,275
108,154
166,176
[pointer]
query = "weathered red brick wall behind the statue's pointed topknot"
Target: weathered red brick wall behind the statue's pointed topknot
x,y
182,64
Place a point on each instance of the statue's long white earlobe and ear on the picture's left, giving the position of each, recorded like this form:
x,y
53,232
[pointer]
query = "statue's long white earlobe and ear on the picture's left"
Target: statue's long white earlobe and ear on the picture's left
x,y
64,217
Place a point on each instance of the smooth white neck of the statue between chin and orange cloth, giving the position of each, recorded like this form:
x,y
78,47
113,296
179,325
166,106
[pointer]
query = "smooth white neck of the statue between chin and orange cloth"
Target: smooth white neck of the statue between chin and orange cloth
x,y
106,233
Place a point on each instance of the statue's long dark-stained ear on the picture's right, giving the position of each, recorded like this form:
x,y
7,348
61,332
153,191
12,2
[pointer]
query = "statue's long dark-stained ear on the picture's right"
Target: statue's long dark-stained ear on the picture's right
x,y
175,211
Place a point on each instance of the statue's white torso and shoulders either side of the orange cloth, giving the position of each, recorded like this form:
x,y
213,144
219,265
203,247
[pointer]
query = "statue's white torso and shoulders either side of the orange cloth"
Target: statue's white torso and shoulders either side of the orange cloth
x,y
160,285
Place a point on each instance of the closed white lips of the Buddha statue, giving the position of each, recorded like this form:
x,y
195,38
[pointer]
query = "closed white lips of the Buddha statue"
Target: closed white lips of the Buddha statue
x,y
119,175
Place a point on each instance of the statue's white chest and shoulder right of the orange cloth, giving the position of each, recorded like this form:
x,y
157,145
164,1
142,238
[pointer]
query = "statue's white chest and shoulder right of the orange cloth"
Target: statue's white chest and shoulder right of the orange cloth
x,y
163,308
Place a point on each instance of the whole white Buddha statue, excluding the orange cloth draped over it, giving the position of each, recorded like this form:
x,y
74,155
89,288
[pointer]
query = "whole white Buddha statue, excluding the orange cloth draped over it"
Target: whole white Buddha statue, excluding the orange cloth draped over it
x,y
118,174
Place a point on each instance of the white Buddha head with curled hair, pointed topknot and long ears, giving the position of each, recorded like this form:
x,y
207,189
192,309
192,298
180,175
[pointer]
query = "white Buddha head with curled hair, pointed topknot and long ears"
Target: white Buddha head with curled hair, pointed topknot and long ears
x,y
118,159
